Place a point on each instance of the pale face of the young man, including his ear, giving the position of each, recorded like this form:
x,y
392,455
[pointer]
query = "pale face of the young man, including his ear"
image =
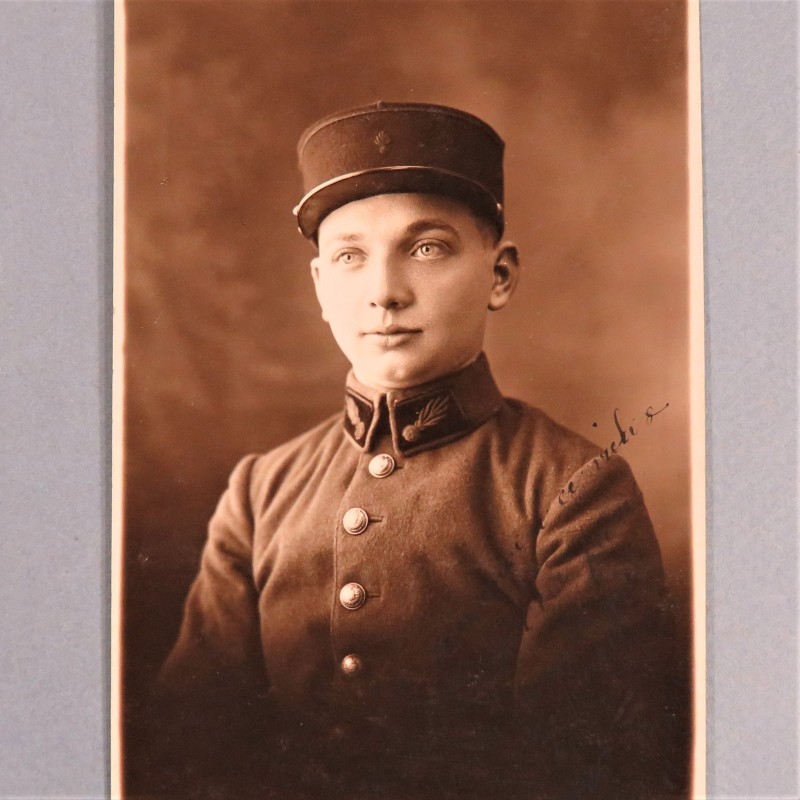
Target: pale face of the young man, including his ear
x,y
405,282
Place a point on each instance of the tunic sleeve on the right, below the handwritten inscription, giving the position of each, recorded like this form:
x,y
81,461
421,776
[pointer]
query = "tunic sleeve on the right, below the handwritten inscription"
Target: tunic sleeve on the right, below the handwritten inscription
x,y
597,650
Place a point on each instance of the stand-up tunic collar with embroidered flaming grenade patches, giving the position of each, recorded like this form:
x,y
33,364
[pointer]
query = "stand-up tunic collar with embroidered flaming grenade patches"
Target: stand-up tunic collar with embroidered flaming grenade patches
x,y
424,416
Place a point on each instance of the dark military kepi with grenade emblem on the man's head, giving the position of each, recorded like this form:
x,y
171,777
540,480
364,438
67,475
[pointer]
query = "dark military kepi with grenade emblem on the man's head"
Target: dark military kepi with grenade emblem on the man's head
x,y
387,148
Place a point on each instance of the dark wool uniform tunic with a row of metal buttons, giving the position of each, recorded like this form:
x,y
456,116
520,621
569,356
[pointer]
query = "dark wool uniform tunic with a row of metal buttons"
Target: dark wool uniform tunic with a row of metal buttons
x,y
442,593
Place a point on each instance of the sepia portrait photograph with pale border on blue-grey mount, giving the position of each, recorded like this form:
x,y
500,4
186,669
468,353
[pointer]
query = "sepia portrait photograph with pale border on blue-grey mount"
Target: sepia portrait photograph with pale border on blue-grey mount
x,y
409,467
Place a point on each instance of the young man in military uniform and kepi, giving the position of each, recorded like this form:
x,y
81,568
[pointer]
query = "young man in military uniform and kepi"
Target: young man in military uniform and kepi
x,y
438,592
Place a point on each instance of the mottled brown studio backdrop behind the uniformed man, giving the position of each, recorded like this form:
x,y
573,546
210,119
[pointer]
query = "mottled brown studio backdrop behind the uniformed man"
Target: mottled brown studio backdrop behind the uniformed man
x,y
225,350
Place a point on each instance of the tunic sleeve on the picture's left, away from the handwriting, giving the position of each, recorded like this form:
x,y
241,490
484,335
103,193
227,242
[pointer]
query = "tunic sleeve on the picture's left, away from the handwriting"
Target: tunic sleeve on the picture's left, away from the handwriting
x,y
209,704
